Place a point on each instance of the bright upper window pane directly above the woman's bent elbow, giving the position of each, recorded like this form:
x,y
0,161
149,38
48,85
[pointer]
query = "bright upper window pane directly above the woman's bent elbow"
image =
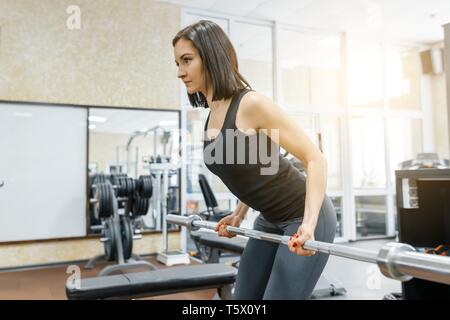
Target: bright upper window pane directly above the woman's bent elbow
x,y
310,69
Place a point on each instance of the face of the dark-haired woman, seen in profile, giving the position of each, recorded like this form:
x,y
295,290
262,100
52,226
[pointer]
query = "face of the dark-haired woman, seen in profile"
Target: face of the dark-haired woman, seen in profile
x,y
190,66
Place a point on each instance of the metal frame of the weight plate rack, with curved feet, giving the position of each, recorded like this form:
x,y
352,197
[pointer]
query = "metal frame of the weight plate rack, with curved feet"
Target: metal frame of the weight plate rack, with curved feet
x,y
122,263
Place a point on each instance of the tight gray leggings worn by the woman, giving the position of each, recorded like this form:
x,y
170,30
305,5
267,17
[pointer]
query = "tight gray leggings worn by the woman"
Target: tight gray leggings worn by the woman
x,y
270,271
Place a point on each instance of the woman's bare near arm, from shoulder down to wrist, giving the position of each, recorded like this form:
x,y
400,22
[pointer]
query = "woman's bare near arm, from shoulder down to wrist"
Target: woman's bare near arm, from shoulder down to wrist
x,y
260,113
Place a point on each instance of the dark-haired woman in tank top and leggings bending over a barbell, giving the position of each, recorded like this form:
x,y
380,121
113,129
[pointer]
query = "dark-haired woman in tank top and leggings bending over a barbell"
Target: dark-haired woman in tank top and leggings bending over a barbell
x,y
288,203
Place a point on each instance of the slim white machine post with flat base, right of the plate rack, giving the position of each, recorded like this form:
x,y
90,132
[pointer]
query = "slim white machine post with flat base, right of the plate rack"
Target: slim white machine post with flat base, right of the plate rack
x,y
161,171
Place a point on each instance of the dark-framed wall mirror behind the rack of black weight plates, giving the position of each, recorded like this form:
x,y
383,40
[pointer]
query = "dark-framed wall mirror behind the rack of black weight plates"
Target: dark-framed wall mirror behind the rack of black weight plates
x,y
126,147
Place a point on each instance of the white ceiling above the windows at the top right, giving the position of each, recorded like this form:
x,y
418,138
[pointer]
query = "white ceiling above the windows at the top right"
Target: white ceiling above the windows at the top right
x,y
407,20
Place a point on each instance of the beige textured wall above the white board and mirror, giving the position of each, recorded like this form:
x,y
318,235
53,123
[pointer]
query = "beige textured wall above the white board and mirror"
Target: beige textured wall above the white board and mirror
x,y
121,55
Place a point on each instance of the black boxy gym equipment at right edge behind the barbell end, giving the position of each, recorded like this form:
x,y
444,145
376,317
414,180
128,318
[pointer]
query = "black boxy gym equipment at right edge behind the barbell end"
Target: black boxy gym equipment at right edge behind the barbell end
x,y
423,205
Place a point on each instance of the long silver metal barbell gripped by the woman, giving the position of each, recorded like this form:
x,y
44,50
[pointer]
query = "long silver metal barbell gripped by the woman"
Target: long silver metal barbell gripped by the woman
x,y
398,261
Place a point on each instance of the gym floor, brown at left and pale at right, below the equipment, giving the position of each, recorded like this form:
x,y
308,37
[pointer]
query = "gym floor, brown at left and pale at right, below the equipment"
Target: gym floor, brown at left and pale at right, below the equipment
x,y
362,280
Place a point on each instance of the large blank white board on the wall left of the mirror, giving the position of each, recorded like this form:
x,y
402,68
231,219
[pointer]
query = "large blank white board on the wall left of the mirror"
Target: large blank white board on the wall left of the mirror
x,y
43,166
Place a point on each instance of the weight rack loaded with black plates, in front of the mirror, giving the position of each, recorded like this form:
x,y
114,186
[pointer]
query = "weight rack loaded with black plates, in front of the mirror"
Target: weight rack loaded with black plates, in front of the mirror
x,y
118,230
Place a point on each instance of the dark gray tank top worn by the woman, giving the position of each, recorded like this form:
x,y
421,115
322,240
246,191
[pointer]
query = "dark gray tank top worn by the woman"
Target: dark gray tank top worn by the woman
x,y
253,169
